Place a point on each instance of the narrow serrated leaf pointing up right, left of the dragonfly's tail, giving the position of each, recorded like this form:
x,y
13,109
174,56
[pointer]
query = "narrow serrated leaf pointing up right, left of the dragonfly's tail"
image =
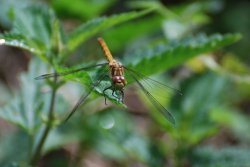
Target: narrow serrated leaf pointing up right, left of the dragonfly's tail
x,y
92,27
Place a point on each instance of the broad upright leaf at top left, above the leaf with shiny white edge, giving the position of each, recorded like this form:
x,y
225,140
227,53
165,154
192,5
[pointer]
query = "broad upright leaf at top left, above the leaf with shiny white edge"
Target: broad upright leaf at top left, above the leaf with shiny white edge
x,y
35,22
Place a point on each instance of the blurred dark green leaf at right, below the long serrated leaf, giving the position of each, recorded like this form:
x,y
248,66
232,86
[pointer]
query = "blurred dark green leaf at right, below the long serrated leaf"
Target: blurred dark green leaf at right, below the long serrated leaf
x,y
192,115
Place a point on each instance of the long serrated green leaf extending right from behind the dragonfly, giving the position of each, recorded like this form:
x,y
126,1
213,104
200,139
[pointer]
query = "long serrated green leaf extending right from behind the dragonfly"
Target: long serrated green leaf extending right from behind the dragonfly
x,y
163,56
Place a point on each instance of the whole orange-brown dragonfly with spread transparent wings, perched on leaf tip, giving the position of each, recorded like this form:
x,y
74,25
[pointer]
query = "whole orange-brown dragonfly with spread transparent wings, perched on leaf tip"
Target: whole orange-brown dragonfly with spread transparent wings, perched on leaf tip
x,y
118,82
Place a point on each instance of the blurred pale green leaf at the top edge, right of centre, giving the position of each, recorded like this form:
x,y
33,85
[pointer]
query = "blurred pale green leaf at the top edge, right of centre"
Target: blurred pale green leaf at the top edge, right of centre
x,y
180,20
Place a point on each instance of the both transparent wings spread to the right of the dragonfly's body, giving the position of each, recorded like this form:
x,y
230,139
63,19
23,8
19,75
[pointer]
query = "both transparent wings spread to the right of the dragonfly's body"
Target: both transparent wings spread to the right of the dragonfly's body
x,y
157,104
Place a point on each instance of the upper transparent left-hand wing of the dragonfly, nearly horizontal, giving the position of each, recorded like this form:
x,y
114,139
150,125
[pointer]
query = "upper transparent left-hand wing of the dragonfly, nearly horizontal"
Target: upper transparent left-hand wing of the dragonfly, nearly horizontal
x,y
44,76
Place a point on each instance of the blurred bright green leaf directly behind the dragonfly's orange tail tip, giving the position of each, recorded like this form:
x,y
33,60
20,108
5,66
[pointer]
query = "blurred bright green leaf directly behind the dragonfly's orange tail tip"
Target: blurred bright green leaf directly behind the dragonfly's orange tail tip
x,y
130,33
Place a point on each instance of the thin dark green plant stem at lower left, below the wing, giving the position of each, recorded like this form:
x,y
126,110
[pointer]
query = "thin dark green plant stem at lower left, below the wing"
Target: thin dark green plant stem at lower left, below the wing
x,y
38,150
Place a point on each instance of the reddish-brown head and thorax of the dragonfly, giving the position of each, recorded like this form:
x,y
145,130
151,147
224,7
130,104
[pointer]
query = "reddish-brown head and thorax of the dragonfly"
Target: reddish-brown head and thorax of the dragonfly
x,y
117,74
